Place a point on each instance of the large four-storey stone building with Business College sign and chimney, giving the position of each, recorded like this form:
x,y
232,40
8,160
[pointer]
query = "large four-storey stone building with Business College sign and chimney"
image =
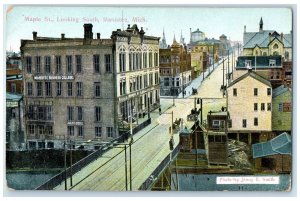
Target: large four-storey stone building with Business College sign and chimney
x,y
78,88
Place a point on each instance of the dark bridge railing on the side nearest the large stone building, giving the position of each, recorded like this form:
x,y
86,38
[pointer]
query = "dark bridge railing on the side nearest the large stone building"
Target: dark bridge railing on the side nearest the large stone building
x,y
59,178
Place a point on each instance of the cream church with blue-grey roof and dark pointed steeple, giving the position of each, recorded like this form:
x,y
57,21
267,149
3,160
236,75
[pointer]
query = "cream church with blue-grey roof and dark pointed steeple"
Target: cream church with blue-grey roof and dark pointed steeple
x,y
267,43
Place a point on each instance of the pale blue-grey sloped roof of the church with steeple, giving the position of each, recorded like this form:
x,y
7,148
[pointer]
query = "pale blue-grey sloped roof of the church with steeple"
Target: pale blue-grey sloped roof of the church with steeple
x,y
262,39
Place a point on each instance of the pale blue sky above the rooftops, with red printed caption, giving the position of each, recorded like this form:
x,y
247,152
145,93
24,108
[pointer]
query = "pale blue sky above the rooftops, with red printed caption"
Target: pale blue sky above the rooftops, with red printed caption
x,y
51,21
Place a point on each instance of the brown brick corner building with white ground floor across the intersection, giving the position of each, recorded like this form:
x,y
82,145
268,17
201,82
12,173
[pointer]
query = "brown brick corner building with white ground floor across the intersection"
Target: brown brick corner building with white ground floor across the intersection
x,y
175,69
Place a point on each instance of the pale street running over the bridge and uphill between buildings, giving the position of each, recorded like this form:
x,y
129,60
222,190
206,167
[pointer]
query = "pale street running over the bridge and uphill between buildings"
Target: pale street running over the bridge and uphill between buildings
x,y
150,146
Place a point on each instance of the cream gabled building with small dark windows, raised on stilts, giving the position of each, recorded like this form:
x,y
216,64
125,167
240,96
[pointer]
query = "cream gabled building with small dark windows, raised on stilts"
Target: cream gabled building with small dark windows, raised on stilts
x,y
250,108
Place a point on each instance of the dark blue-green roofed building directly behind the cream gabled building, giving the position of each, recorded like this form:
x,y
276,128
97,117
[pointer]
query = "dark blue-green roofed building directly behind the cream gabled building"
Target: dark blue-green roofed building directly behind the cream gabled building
x,y
269,67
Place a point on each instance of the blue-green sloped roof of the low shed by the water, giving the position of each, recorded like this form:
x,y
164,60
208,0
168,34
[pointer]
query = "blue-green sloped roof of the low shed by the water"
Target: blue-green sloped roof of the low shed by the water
x,y
281,144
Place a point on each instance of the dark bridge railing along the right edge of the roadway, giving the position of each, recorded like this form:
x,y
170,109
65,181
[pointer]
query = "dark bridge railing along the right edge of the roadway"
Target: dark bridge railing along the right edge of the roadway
x,y
160,168
